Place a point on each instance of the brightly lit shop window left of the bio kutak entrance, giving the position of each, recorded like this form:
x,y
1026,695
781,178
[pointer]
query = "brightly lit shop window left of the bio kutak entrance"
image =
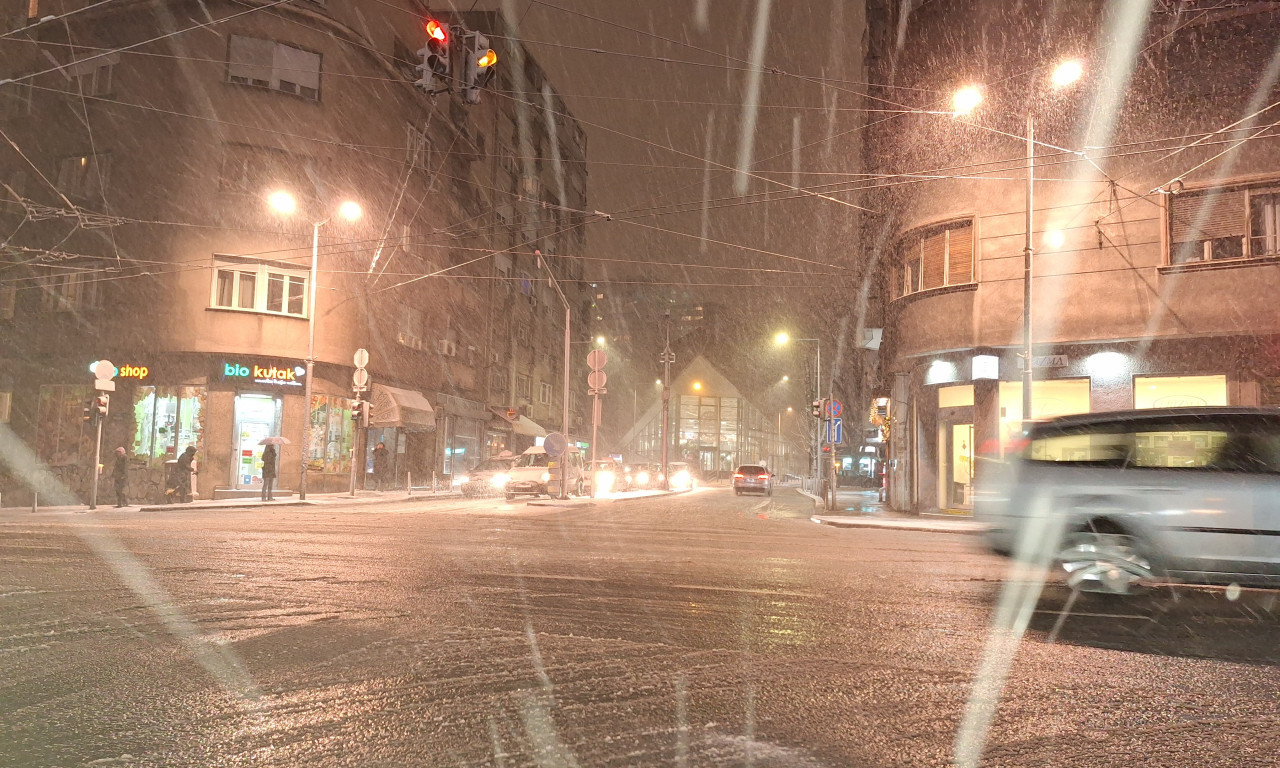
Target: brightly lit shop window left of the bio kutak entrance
x,y
167,420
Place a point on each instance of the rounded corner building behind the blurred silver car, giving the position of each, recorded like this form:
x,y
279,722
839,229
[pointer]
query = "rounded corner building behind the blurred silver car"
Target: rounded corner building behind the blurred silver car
x,y
1155,225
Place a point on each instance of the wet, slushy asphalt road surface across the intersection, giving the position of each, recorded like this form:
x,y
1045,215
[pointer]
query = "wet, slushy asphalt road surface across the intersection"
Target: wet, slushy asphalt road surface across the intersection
x,y
692,630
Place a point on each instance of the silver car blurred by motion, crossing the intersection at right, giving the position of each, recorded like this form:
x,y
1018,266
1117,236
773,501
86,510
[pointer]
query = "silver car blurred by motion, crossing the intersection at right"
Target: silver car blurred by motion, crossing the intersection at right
x,y
1114,501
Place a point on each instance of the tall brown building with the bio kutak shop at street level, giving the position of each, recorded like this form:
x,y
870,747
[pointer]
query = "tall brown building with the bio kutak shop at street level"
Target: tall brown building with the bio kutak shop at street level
x,y
138,230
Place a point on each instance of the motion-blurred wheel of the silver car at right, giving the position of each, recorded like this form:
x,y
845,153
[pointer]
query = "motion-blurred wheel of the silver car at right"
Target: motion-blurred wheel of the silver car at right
x,y
1104,559
